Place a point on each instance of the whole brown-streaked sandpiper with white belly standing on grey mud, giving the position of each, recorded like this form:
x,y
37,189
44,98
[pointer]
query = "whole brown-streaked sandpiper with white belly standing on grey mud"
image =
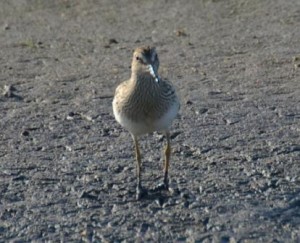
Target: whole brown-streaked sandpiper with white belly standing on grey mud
x,y
146,103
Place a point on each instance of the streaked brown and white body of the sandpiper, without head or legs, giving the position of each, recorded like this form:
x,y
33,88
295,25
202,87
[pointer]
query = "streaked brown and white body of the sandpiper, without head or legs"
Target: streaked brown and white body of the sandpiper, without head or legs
x,y
142,105
